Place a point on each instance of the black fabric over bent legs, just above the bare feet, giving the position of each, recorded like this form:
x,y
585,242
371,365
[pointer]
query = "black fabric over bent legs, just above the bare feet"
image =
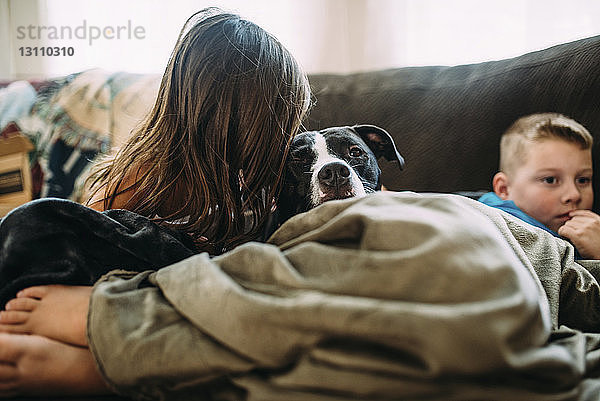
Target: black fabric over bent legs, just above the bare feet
x,y
57,241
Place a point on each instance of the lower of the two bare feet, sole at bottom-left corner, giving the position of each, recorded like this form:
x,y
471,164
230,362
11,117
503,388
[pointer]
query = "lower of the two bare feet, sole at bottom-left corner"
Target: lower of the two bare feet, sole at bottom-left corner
x,y
35,366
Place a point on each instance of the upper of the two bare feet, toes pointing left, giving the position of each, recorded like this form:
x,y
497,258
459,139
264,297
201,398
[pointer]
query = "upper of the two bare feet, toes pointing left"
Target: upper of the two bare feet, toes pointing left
x,y
54,311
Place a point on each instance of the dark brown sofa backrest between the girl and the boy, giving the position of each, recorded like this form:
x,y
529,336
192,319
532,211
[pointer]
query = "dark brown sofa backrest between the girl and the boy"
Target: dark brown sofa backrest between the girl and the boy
x,y
447,121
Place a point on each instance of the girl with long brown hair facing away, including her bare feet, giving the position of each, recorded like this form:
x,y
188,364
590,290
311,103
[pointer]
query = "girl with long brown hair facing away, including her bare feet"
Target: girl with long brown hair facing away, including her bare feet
x,y
207,161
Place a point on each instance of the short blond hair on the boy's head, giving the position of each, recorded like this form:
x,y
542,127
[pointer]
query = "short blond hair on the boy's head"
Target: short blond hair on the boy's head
x,y
535,128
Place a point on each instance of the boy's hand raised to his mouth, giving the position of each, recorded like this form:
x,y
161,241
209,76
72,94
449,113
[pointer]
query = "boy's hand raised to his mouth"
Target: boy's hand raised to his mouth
x,y
583,230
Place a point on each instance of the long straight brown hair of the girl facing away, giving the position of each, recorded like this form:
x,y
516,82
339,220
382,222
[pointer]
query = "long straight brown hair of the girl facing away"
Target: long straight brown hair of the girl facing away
x,y
229,103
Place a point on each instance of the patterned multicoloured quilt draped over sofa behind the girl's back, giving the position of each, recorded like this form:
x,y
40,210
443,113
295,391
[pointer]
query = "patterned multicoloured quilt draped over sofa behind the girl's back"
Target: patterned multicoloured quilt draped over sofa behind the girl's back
x,y
73,119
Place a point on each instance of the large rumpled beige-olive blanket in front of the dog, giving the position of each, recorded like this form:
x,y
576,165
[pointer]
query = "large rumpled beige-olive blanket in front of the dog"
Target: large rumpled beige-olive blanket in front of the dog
x,y
394,296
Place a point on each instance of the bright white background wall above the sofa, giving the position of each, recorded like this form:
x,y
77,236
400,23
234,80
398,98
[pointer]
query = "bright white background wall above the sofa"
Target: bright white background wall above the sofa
x,y
340,36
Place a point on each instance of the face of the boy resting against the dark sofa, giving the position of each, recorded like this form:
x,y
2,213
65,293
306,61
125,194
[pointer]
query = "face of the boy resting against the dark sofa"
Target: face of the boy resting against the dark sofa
x,y
555,178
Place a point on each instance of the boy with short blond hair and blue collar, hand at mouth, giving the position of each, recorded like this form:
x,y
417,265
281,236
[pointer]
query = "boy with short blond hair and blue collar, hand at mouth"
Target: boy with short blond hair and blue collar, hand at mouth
x,y
545,179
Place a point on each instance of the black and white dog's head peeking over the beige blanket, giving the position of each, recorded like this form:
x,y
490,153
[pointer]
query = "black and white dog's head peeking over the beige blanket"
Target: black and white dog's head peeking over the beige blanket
x,y
334,163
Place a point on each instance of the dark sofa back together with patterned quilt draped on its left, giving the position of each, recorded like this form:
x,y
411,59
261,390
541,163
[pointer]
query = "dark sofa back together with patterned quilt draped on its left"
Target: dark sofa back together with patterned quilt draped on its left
x,y
446,121
